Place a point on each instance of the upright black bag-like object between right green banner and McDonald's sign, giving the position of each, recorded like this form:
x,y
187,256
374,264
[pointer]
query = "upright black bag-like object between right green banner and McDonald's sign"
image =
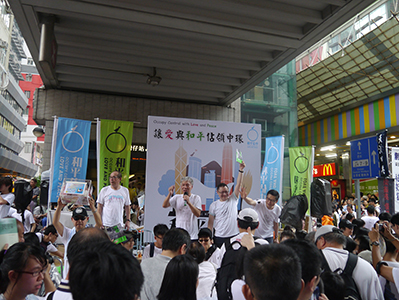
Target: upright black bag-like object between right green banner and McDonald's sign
x,y
320,199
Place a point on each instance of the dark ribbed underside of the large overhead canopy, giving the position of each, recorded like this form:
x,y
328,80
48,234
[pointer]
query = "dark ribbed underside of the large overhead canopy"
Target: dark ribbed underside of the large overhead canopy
x,y
208,51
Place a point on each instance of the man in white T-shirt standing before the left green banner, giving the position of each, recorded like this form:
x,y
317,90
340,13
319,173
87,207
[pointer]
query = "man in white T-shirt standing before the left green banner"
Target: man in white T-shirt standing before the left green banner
x,y
112,200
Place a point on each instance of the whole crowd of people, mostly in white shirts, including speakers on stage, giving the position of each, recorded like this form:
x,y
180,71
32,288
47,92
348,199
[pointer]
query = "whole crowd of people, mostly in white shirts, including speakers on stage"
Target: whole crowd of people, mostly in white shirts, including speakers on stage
x,y
239,255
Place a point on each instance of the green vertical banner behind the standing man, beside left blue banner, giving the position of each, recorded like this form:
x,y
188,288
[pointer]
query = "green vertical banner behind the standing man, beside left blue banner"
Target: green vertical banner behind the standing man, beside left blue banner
x,y
114,140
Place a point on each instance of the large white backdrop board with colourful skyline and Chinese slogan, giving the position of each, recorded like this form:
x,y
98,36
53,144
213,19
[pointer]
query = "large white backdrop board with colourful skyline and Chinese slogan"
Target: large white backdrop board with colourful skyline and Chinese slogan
x,y
204,150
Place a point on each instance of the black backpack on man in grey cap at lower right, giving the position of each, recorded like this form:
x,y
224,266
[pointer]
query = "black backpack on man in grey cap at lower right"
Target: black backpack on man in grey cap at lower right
x,y
351,292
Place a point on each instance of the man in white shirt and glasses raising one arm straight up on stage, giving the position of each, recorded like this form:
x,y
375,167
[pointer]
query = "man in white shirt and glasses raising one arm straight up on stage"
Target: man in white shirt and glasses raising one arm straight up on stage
x,y
223,212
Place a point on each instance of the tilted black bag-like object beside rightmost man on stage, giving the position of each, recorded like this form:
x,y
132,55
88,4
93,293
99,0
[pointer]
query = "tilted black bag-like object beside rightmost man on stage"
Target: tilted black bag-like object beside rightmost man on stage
x,y
294,211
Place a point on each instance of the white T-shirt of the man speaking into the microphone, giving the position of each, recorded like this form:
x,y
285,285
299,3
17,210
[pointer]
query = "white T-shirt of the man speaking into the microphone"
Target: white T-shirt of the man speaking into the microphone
x,y
184,216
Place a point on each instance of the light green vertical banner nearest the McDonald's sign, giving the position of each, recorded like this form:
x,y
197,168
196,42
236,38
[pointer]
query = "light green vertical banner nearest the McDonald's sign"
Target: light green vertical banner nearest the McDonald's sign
x,y
301,171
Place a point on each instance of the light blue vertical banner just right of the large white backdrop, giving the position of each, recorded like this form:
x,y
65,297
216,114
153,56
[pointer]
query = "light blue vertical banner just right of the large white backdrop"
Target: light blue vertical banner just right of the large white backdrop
x,y
272,172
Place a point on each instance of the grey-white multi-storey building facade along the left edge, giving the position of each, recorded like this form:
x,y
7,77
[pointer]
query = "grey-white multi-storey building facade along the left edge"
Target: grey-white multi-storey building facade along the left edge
x,y
12,100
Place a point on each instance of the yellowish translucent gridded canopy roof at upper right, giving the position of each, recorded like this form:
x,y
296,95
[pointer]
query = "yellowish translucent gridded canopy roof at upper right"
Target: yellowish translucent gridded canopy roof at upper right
x,y
366,68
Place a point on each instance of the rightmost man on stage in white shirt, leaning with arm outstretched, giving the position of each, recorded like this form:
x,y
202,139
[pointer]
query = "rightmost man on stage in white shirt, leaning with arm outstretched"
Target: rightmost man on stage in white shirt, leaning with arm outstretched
x,y
269,212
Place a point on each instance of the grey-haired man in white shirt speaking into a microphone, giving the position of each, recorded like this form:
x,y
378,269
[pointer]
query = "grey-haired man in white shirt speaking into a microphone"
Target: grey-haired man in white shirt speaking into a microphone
x,y
186,205
